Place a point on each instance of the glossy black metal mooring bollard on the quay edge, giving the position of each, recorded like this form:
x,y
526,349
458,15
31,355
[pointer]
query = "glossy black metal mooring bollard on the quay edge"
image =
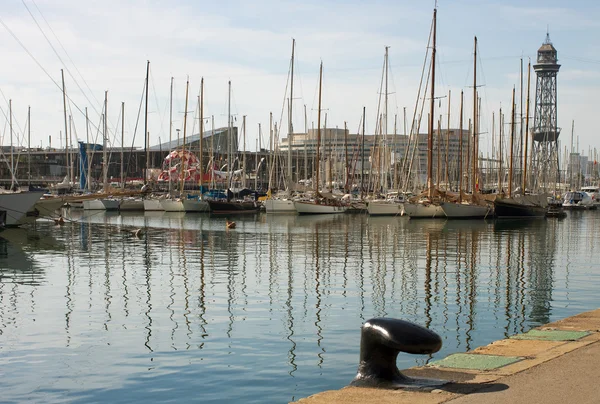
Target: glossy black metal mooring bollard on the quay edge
x,y
381,341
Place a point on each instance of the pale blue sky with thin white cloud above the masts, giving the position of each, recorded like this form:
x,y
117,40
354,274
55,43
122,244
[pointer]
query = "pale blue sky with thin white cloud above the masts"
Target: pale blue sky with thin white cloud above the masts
x,y
103,46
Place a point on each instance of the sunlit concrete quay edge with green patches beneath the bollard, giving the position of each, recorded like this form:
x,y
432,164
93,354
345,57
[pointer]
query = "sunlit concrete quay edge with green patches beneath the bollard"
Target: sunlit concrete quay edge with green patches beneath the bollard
x,y
555,363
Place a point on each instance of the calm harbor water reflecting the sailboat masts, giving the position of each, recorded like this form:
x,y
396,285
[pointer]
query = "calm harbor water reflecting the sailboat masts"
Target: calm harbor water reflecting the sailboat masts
x,y
270,311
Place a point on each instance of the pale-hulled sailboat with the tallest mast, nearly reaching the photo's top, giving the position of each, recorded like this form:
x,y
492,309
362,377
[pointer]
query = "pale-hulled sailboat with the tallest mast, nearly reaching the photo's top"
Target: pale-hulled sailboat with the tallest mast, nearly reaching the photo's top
x,y
425,206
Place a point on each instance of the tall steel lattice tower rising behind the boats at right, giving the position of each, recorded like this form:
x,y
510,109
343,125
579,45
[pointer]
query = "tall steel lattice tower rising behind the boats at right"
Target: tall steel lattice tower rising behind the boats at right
x,y
544,159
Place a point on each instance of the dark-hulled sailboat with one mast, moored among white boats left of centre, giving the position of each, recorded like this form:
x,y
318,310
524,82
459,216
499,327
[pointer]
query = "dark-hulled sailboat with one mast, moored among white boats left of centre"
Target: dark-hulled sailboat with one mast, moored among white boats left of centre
x,y
229,204
